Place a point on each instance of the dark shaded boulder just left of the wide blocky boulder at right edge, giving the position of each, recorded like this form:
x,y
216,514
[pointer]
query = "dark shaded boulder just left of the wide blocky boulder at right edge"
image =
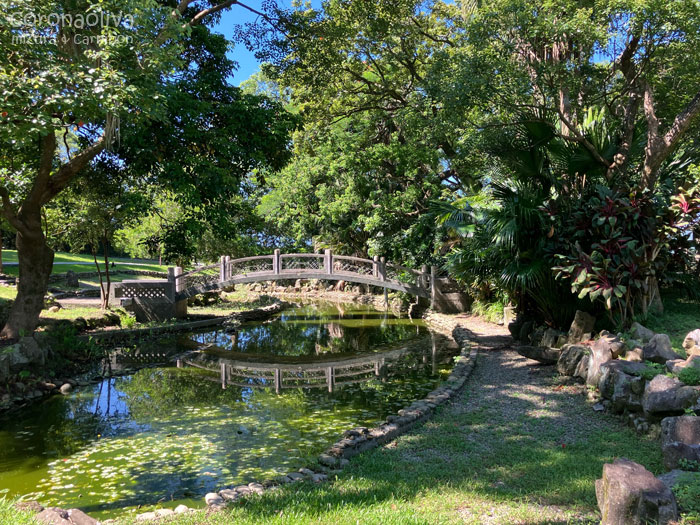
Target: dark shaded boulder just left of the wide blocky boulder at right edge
x,y
620,382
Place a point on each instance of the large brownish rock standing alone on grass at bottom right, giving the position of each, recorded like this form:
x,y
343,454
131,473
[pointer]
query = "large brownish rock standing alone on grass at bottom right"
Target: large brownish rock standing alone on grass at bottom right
x,y
628,494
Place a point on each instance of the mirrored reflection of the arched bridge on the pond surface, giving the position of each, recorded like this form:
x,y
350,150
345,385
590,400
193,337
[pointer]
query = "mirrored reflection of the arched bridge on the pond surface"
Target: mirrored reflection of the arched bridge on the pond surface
x,y
322,372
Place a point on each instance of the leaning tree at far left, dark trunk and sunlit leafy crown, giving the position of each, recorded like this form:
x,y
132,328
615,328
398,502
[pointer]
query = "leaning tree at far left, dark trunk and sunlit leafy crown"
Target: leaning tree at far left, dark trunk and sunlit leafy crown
x,y
69,86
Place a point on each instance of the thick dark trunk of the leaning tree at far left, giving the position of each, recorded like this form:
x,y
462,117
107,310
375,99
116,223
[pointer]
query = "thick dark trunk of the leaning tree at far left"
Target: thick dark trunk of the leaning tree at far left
x,y
35,265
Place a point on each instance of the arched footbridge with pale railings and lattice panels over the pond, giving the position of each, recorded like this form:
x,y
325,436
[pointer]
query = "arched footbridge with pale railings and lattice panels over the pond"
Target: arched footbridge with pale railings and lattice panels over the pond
x,y
154,296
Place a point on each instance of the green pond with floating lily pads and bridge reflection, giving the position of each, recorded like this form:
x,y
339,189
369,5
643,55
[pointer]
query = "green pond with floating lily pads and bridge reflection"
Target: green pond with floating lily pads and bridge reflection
x,y
215,409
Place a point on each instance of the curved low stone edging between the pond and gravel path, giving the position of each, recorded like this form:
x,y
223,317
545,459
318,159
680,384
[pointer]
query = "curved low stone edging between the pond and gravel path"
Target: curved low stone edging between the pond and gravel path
x,y
361,439
